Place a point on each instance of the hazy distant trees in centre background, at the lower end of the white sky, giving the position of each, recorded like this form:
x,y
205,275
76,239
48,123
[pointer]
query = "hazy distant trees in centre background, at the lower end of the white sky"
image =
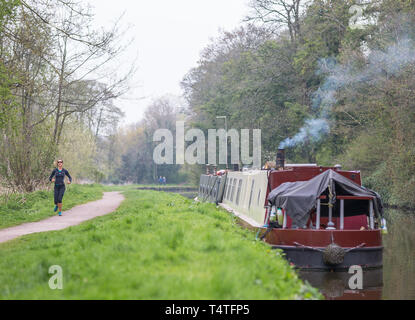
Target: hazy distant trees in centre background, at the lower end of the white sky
x,y
128,152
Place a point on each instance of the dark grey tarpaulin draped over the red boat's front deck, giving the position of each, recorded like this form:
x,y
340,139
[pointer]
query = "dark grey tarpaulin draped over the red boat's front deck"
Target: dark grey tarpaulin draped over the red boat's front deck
x,y
299,198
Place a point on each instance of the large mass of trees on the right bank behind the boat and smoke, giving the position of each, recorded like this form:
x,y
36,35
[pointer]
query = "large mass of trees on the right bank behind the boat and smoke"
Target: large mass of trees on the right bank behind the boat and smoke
x,y
307,61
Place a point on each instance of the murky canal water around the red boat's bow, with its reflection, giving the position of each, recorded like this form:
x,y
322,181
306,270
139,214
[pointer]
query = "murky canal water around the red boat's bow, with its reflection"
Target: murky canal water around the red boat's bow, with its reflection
x,y
394,281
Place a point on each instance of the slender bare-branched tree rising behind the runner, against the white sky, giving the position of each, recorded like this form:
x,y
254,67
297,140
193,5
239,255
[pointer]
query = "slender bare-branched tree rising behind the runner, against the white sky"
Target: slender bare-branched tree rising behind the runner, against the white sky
x,y
79,61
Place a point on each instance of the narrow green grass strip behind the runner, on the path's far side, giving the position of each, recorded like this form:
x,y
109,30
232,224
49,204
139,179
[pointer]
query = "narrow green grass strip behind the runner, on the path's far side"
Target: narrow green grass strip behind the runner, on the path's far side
x,y
20,208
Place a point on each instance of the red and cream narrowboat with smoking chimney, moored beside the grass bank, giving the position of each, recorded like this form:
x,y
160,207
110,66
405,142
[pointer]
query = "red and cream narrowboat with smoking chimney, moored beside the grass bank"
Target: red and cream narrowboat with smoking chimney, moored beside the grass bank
x,y
322,218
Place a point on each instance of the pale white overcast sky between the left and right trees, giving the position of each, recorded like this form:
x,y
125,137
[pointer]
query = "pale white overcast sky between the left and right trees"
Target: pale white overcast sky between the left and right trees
x,y
169,36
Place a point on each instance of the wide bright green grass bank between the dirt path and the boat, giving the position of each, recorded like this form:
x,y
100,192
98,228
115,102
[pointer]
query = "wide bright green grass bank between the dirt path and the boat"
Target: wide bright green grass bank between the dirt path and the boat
x,y
155,246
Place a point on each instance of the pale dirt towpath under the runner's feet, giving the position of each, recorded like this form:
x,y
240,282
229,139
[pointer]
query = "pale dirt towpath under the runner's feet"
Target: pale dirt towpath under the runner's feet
x,y
72,217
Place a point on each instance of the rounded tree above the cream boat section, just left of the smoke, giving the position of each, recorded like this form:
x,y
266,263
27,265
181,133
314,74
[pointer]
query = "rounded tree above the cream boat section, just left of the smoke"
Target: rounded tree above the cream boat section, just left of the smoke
x,y
249,76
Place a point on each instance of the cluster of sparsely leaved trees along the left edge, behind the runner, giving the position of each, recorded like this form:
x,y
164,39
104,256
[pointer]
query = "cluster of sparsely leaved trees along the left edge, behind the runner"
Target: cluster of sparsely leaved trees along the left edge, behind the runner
x,y
50,67
